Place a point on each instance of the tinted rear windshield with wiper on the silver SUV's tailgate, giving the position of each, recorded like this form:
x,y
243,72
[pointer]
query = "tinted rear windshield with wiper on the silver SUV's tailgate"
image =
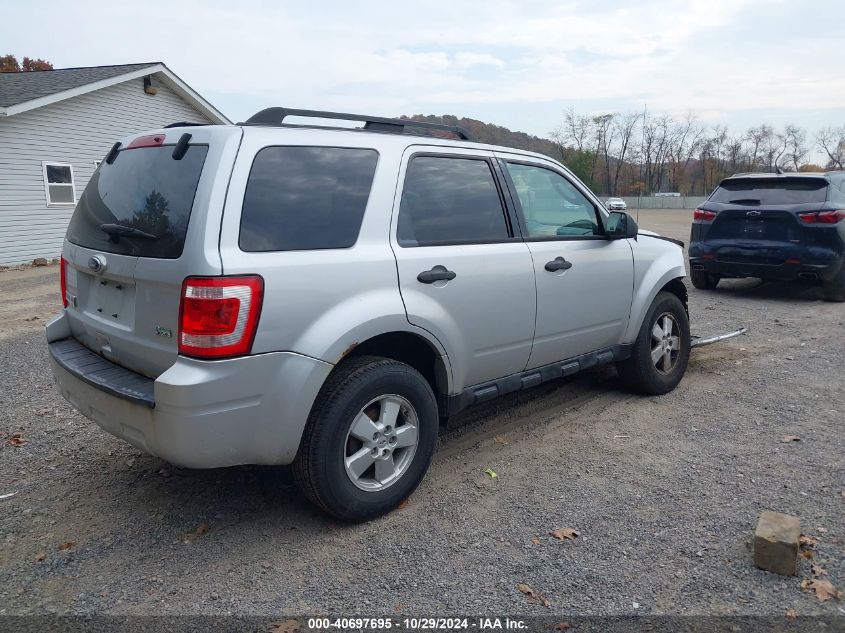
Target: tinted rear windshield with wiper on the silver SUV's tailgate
x,y
140,204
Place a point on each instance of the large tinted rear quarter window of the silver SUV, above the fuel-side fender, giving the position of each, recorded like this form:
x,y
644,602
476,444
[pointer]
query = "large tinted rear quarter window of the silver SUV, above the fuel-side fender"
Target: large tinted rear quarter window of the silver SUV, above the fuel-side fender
x,y
306,198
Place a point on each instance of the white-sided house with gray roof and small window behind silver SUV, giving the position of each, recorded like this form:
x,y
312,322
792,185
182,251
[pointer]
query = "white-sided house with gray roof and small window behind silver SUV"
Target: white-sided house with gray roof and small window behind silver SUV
x,y
56,126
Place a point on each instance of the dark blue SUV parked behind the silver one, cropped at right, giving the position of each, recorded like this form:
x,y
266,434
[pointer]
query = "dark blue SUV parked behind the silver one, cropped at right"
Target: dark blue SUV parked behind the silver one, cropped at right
x,y
777,227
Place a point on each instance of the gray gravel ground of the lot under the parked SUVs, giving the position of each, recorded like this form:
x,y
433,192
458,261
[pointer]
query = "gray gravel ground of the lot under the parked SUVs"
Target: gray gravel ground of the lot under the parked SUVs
x,y
664,491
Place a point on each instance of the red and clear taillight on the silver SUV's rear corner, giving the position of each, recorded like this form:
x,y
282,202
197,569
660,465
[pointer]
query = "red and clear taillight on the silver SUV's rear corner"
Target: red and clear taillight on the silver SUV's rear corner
x,y
218,316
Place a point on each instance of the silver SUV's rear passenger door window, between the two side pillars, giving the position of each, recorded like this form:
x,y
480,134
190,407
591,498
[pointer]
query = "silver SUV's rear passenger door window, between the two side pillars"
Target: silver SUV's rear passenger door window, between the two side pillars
x,y
450,200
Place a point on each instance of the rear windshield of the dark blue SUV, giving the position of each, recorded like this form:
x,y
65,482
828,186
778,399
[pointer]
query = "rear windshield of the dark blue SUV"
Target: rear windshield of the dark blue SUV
x,y
755,191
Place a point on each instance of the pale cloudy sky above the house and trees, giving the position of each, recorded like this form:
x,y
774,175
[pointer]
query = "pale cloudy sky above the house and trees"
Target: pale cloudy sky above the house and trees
x,y
515,63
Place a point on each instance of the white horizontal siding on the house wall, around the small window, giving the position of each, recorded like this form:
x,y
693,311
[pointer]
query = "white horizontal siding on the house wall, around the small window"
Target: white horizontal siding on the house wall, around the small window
x,y
78,131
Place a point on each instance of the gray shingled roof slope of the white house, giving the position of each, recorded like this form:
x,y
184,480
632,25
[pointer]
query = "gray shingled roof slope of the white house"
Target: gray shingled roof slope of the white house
x,y
21,87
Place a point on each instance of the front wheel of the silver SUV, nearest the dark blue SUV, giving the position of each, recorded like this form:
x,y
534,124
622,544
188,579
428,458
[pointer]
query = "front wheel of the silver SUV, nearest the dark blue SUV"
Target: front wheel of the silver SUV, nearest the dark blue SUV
x,y
661,352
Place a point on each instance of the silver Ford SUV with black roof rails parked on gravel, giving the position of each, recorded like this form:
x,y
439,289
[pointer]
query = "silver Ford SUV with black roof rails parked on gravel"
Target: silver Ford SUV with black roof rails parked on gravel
x,y
267,293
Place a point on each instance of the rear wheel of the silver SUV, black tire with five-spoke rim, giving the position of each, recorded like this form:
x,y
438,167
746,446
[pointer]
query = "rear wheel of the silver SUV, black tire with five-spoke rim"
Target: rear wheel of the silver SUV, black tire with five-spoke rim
x,y
369,439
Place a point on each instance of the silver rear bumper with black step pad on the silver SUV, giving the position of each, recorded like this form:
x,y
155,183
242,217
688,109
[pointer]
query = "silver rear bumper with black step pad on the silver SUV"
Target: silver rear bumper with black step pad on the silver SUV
x,y
203,414
